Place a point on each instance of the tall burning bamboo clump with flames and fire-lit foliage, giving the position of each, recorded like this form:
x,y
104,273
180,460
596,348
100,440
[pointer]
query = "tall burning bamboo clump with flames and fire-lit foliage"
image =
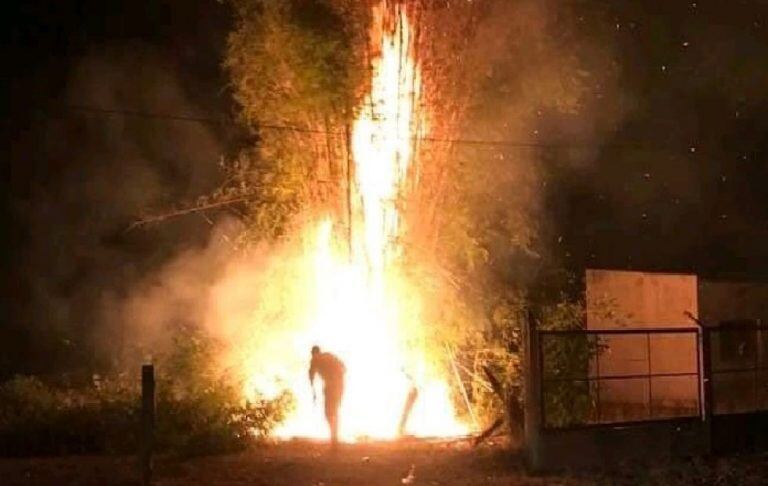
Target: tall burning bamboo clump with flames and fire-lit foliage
x,y
389,241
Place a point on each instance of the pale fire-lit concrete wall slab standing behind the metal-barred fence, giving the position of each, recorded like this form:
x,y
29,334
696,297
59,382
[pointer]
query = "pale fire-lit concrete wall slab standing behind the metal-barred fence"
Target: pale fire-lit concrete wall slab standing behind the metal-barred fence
x,y
636,300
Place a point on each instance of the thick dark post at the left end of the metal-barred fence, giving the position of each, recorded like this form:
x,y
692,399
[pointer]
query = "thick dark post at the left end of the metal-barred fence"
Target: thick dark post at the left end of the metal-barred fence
x,y
532,389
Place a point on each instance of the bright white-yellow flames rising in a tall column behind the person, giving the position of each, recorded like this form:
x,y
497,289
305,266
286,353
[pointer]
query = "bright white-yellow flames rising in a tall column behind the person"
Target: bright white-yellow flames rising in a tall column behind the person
x,y
362,308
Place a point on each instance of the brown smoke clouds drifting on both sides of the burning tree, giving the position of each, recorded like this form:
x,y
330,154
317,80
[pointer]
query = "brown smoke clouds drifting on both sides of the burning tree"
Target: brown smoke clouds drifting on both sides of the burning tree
x,y
91,285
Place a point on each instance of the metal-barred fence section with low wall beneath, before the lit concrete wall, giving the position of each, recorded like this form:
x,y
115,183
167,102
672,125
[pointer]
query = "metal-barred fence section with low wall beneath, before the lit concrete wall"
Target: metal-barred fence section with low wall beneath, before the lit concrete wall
x,y
601,397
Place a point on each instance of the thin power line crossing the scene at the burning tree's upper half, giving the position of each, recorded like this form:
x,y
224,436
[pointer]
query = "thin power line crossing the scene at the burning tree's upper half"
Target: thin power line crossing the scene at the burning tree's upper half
x,y
294,128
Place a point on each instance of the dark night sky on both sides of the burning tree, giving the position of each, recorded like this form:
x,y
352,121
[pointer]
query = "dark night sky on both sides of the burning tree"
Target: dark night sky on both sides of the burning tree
x,y
679,185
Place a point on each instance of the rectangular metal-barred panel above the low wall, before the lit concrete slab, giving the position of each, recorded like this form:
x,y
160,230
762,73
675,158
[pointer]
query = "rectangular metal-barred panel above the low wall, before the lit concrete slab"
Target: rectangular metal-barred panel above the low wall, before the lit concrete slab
x,y
591,377
